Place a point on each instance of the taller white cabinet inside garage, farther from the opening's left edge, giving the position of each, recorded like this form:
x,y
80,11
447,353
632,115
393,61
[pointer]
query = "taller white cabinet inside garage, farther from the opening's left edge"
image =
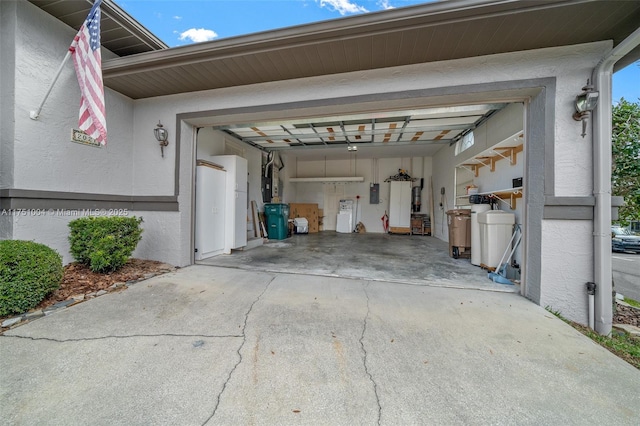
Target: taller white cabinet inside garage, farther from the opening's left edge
x,y
236,200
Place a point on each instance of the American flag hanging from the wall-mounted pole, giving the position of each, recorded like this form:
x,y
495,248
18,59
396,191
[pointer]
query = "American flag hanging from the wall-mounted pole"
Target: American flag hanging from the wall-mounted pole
x,y
85,50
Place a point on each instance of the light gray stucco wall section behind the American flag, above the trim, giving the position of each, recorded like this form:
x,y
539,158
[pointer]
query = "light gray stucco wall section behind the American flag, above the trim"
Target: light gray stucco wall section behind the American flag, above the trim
x,y
44,157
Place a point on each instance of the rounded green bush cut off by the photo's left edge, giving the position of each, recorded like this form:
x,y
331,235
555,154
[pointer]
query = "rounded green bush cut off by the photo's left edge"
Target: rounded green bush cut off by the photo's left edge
x,y
28,273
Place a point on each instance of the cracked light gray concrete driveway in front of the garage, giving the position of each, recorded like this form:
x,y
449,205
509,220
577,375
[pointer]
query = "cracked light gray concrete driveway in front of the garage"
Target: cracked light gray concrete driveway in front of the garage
x,y
218,346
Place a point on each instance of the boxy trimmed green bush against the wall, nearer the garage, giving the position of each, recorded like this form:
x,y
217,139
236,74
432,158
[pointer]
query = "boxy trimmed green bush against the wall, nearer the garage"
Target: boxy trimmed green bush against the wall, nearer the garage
x,y
104,243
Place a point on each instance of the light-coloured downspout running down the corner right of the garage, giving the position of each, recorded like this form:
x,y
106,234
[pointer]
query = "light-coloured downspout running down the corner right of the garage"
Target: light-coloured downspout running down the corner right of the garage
x,y
601,126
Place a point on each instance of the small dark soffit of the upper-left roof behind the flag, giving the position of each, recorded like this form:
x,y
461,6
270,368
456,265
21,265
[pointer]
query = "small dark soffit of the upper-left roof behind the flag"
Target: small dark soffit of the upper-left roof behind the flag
x,y
120,33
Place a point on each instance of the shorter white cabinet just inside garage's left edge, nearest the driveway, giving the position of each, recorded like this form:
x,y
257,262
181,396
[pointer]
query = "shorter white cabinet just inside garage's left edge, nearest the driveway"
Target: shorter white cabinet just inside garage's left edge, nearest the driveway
x,y
210,209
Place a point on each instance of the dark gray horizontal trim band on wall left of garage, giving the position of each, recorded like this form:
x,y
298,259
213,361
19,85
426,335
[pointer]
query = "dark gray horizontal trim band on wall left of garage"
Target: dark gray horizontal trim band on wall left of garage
x,y
45,200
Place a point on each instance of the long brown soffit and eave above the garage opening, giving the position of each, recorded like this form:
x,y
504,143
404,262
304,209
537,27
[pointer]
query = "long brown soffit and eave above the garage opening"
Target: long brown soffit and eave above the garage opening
x,y
424,33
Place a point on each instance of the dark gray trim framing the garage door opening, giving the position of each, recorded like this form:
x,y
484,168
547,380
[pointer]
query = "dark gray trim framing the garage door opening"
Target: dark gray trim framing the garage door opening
x,y
540,136
